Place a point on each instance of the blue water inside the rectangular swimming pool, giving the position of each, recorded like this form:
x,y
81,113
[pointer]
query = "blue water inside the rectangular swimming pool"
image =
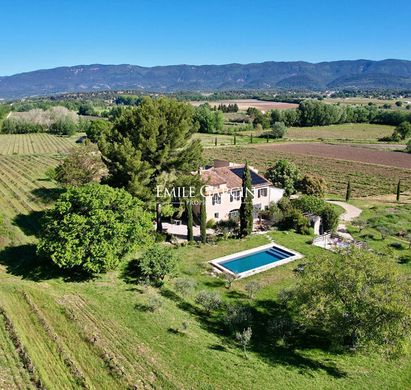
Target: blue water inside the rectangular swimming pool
x,y
255,260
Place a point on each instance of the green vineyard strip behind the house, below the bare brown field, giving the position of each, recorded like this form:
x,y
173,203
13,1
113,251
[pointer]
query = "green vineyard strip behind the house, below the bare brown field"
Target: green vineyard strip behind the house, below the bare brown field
x,y
367,179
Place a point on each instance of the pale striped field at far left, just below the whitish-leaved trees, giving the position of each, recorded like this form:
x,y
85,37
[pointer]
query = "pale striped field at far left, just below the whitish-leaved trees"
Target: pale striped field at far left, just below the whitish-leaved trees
x,y
35,144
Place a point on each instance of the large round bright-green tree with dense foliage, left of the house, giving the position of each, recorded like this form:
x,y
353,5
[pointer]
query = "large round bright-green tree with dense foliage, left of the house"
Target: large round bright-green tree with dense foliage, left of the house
x,y
93,228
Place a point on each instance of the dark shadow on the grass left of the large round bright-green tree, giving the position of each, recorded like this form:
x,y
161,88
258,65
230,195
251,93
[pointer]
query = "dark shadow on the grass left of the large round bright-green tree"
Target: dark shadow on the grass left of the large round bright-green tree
x,y
23,261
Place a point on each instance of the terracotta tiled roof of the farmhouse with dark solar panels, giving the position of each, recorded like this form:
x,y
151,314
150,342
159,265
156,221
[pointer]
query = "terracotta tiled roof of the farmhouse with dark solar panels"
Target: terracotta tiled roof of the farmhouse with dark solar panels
x,y
231,176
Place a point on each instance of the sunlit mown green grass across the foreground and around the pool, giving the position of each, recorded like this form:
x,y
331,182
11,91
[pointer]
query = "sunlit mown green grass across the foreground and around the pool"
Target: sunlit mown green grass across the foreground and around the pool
x,y
116,342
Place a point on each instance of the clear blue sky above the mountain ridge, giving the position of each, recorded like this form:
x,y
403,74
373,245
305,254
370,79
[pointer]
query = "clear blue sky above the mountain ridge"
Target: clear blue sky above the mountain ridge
x,y
45,34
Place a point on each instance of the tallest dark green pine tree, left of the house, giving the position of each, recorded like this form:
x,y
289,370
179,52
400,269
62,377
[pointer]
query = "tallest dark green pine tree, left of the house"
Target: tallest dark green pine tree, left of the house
x,y
150,141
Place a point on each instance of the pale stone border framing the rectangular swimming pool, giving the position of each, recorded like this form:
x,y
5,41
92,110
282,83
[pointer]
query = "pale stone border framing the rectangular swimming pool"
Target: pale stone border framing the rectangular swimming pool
x,y
217,262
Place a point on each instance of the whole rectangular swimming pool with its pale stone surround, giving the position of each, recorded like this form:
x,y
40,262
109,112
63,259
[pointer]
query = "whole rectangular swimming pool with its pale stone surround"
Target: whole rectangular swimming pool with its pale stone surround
x,y
255,260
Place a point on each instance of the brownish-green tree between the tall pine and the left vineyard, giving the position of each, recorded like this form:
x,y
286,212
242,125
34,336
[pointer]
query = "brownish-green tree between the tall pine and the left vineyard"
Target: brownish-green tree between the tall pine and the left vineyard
x,y
83,165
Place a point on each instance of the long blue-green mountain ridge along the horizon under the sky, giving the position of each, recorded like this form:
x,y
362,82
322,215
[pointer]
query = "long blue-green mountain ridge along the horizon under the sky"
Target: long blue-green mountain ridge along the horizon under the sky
x,y
267,75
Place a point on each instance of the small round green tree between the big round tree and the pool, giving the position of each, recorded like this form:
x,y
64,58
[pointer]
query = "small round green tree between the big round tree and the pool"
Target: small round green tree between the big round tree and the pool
x,y
156,263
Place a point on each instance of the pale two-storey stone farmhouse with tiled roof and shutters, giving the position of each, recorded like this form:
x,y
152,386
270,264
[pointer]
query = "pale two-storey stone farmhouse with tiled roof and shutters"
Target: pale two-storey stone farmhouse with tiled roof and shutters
x,y
224,189
